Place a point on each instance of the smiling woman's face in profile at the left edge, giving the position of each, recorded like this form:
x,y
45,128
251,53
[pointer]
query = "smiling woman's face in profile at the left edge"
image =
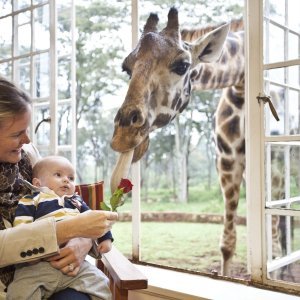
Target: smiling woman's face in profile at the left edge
x,y
13,135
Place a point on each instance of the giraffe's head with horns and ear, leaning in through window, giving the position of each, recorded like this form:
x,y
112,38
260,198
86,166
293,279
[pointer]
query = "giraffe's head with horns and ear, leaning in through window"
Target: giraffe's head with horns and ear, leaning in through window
x,y
160,84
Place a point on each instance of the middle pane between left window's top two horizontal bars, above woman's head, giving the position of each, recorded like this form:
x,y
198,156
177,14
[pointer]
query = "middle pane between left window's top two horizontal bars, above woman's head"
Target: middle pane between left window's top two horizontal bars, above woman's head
x,y
23,33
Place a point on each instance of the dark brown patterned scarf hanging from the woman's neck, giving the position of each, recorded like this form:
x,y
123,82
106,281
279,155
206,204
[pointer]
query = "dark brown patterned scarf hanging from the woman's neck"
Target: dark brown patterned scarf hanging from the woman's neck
x,y
11,190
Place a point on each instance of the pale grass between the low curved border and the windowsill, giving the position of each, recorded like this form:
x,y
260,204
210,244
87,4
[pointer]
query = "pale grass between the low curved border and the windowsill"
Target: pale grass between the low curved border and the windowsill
x,y
190,246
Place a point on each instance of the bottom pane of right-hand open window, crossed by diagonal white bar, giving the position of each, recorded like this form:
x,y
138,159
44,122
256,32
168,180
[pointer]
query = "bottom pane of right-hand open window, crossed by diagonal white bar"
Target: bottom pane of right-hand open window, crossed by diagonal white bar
x,y
283,239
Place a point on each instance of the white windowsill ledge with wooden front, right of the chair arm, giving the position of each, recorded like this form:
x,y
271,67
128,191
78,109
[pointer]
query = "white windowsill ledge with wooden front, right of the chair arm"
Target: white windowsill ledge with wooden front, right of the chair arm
x,y
177,285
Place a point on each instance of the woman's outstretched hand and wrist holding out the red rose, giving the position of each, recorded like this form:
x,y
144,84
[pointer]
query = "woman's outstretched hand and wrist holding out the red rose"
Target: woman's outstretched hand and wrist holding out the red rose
x,y
90,224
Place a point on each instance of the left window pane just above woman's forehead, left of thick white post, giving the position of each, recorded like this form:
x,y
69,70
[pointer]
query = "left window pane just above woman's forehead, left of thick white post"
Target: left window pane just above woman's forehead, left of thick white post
x,y
42,81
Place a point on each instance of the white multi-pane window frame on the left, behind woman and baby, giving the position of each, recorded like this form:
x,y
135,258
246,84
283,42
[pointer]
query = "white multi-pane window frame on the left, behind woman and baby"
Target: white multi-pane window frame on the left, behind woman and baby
x,y
52,100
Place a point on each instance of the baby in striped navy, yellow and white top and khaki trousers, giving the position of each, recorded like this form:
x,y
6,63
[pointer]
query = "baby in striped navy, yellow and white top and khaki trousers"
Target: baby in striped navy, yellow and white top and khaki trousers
x,y
54,196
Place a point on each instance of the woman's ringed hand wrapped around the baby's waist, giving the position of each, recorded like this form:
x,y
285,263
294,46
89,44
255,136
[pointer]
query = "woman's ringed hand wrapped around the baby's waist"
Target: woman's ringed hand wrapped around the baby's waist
x,y
71,256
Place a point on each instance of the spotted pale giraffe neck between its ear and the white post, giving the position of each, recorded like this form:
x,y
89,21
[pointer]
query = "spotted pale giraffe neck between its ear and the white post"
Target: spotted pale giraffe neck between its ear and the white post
x,y
227,71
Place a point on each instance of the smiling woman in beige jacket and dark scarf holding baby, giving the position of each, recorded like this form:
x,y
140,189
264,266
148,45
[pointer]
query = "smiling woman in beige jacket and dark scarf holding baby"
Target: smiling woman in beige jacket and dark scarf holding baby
x,y
66,243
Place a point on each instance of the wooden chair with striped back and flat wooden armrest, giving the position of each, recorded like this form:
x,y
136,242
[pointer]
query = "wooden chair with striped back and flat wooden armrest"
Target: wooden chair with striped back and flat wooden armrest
x,y
123,275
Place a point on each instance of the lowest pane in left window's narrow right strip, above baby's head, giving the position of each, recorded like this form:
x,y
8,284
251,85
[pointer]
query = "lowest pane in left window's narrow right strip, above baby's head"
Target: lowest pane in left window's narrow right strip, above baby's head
x,y
64,124
